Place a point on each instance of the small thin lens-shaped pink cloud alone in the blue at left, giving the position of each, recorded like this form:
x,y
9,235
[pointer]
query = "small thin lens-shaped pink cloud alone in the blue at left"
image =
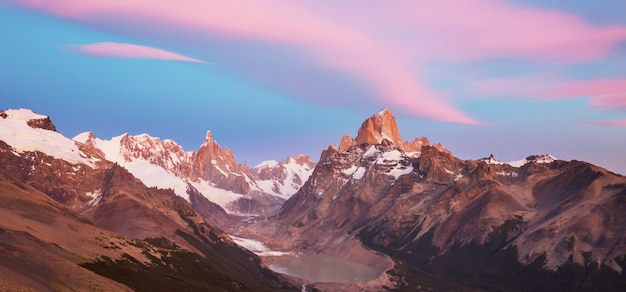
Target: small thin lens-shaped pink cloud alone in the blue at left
x,y
122,50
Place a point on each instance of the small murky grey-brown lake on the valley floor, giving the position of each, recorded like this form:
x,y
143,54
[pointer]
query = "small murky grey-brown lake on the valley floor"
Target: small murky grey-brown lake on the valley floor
x,y
323,269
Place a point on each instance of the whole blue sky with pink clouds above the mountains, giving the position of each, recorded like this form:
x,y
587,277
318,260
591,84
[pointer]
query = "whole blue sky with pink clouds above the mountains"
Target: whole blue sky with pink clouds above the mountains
x,y
275,78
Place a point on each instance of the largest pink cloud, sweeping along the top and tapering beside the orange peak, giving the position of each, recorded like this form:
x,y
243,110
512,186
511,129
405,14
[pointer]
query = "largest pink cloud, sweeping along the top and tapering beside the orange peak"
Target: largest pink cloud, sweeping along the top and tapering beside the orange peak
x,y
382,43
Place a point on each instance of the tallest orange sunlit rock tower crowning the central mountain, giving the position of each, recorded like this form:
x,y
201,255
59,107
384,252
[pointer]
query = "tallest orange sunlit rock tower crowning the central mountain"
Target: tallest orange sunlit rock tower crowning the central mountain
x,y
379,127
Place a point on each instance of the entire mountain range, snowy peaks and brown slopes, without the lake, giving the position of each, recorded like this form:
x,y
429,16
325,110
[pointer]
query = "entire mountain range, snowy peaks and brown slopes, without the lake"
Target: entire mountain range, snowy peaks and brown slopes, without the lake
x,y
421,217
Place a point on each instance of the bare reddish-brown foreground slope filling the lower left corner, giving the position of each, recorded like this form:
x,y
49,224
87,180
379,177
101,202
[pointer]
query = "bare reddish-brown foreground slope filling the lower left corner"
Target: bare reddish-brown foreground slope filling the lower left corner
x,y
154,248
